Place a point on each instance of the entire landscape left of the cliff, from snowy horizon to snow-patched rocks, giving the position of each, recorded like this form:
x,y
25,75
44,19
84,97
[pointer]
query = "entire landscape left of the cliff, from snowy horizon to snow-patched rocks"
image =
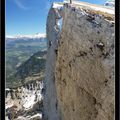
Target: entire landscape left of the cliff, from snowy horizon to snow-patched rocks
x,y
25,71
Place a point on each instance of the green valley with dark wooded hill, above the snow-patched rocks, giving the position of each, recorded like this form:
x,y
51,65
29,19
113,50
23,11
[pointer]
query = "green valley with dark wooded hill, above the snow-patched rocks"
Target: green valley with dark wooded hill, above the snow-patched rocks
x,y
24,61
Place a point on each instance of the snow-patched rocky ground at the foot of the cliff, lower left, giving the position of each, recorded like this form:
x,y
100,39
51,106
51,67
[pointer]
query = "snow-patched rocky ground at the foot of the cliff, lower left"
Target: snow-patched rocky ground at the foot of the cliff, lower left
x,y
25,102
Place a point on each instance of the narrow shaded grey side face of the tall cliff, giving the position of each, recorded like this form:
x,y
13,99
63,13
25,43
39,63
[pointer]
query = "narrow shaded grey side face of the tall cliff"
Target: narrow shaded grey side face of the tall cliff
x,y
50,99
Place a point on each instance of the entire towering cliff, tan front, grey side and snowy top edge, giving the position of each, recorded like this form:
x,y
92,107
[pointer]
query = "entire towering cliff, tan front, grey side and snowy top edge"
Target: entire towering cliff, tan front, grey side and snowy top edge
x,y
80,64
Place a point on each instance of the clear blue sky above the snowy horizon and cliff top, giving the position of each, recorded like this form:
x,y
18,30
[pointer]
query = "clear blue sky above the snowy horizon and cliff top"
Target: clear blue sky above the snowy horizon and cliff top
x,y
29,16
